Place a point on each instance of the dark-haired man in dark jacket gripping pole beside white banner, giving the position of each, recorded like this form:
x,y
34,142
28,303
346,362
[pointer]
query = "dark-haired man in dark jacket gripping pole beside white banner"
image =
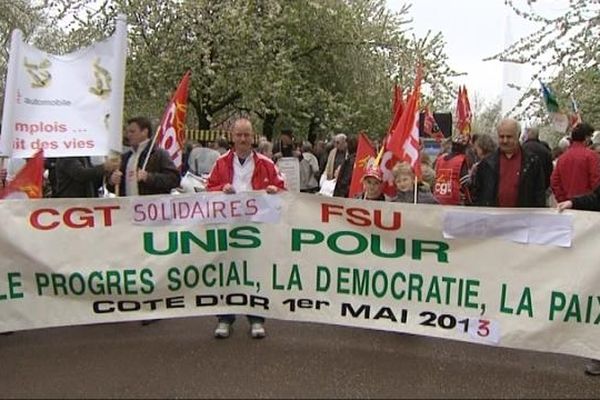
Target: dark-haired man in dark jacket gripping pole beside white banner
x,y
160,174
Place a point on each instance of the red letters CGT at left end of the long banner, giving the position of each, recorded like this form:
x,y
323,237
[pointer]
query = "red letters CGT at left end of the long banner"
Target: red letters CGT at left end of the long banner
x,y
46,219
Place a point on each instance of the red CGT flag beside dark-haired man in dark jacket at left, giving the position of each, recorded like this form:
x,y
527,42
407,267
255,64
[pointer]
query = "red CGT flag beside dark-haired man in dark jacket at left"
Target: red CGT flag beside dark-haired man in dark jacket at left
x,y
170,133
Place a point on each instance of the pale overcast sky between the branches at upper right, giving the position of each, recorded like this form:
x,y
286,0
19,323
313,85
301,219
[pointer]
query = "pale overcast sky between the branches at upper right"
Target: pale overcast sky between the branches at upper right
x,y
473,30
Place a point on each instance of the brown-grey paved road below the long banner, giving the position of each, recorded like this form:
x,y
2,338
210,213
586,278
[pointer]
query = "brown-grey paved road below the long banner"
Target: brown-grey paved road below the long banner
x,y
179,358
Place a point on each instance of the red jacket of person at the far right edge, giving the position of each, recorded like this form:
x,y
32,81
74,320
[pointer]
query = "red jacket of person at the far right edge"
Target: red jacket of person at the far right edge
x,y
577,172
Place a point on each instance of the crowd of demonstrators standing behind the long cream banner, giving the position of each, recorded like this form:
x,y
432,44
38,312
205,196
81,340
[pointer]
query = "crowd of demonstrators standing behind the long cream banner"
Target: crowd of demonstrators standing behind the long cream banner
x,y
487,170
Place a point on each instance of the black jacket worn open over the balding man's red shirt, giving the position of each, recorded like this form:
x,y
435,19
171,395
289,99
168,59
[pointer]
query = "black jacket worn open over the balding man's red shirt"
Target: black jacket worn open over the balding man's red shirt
x,y
532,192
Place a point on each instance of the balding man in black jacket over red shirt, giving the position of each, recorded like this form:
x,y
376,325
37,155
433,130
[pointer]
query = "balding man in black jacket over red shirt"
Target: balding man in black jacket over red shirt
x,y
512,176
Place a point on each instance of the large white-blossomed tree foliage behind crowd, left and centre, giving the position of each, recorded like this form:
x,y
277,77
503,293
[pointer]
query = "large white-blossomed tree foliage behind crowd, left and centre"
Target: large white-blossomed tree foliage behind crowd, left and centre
x,y
317,66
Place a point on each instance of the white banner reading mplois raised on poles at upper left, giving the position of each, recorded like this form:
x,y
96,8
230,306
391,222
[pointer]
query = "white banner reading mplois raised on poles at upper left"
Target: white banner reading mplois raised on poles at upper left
x,y
68,105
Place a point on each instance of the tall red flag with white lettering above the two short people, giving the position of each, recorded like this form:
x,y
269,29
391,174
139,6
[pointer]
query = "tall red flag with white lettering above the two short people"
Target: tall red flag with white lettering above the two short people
x,y
404,140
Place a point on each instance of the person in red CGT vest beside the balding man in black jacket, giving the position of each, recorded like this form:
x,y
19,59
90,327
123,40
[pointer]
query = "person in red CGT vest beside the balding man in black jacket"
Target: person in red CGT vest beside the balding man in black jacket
x,y
452,174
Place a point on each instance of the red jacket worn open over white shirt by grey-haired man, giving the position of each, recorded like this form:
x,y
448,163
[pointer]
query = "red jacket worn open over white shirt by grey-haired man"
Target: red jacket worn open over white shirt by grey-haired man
x,y
265,173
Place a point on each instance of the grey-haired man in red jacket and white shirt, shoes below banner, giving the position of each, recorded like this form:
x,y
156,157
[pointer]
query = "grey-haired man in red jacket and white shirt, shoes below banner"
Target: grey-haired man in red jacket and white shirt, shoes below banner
x,y
242,169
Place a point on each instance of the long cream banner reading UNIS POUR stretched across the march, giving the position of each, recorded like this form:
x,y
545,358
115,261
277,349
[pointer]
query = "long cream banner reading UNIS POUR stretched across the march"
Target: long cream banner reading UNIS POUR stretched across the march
x,y
302,257
